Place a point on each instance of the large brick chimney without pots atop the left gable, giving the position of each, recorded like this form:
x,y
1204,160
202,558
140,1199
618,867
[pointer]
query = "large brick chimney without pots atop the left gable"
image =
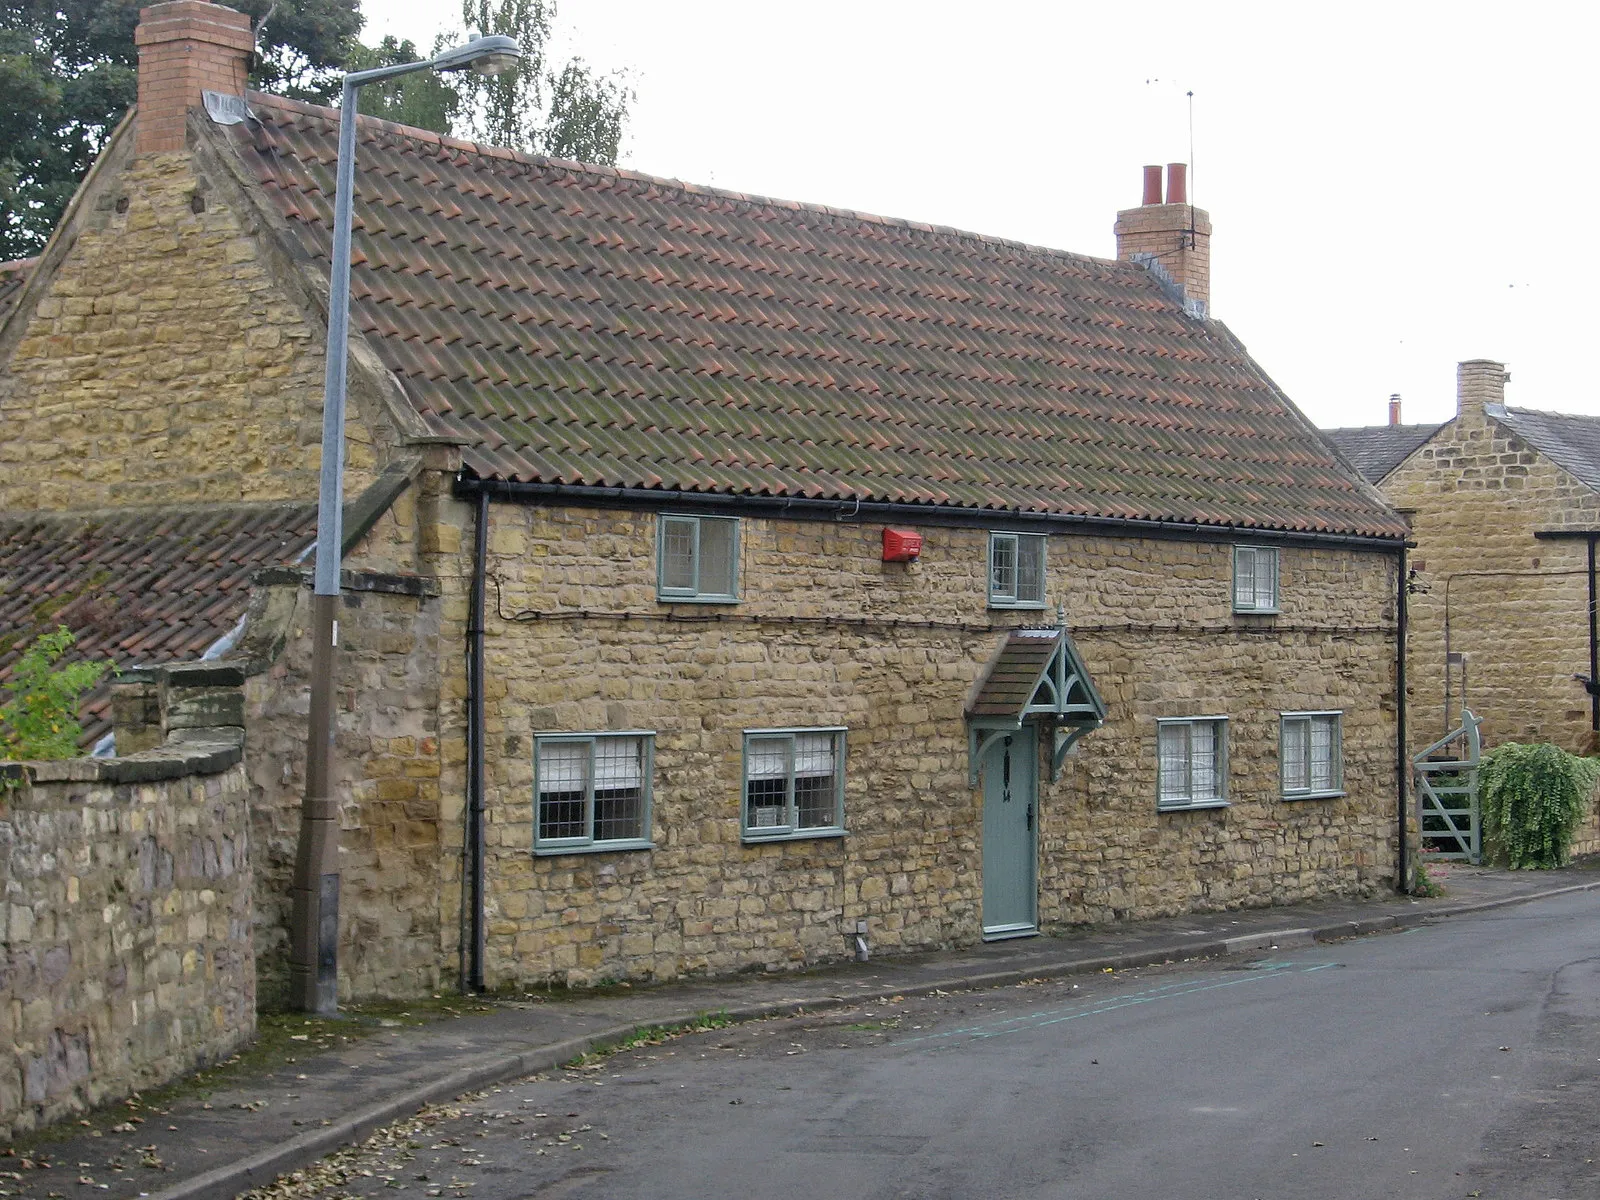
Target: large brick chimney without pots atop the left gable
x,y
186,47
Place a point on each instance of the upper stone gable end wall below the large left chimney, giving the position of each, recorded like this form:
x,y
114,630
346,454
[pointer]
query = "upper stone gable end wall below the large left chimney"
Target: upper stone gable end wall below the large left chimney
x,y
166,361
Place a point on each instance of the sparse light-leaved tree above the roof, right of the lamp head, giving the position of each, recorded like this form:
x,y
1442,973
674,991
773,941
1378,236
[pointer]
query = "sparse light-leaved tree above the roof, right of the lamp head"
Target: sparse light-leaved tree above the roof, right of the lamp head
x,y
569,114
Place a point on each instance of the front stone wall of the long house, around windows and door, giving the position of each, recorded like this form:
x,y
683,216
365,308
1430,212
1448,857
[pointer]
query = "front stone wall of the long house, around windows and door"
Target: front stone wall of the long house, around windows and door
x,y
828,634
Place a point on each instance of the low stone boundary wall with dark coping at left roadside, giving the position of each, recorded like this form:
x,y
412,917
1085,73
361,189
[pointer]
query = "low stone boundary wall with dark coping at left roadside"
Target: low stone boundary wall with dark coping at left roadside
x,y
126,926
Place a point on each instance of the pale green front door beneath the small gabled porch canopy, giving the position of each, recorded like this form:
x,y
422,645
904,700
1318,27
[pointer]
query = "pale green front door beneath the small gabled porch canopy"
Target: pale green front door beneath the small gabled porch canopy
x,y
1010,820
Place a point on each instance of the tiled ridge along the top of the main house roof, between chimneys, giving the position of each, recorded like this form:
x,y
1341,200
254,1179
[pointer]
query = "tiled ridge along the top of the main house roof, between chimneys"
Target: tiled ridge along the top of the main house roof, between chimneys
x,y
444,142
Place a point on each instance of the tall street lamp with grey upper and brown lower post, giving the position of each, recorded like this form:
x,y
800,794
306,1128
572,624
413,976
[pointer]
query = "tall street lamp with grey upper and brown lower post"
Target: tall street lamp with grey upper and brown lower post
x,y
314,927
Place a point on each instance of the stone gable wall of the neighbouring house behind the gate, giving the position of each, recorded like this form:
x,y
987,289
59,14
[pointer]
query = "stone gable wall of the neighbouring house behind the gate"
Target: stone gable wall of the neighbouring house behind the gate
x,y
1518,607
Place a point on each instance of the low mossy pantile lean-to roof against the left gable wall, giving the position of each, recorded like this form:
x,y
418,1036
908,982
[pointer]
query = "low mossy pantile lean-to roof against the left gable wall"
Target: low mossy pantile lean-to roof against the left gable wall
x,y
138,586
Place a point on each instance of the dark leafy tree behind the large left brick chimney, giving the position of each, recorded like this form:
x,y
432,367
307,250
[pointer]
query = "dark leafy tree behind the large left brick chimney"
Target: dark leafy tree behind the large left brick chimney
x,y
70,71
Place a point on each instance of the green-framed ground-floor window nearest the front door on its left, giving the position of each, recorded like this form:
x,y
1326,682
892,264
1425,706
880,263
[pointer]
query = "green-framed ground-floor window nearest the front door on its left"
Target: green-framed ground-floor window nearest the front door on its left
x,y
794,785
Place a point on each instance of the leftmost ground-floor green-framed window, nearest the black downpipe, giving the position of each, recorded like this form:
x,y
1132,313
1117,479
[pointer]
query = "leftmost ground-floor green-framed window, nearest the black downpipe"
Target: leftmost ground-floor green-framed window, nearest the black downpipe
x,y
591,791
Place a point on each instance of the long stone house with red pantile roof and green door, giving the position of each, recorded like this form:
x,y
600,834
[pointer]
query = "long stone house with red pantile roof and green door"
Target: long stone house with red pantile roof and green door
x,y
727,578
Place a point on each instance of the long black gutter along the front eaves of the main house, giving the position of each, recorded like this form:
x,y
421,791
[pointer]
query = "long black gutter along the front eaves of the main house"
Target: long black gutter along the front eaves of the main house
x,y
802,508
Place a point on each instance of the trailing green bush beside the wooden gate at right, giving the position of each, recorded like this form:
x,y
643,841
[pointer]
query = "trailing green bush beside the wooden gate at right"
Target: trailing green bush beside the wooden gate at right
x,y
1532,801
